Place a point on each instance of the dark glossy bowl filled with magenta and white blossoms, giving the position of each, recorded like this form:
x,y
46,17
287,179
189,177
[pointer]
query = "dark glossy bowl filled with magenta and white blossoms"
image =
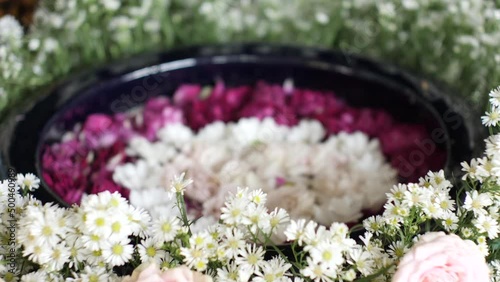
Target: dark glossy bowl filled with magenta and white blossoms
x,y
291,121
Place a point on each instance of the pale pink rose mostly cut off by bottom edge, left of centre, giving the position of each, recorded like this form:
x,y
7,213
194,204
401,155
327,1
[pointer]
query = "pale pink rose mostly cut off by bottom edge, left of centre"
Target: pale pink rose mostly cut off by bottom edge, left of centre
x,y
151,273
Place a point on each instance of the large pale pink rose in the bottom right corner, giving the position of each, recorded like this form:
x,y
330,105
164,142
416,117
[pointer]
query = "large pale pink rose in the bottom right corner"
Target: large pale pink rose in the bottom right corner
x,y
440,257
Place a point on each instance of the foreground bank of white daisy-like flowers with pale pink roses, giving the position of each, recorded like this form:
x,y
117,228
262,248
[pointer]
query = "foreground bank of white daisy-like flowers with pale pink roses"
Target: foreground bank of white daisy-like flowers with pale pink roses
x,y
423,234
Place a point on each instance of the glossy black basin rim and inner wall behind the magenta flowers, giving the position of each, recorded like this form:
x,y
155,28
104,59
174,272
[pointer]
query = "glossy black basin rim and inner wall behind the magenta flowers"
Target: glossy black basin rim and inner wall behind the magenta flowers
x,y
125,84
